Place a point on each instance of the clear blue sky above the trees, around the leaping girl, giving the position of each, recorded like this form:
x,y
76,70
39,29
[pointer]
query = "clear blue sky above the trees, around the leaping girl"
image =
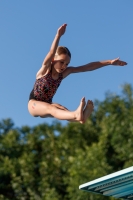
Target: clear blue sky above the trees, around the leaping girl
x,y
97,30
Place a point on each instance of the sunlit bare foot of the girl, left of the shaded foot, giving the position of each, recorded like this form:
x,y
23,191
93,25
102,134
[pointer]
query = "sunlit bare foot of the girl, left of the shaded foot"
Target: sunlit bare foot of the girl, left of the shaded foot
x,y
79,111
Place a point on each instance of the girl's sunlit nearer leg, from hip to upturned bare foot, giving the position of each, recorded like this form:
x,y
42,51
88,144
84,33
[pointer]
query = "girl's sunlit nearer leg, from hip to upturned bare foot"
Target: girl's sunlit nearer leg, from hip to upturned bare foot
x,y
43,109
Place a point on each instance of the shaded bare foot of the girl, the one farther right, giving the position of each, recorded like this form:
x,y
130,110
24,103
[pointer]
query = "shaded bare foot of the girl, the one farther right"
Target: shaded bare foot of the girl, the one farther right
x,y
88,110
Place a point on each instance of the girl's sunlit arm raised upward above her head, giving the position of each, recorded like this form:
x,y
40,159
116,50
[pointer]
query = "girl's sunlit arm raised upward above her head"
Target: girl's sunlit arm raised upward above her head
x,y
46,65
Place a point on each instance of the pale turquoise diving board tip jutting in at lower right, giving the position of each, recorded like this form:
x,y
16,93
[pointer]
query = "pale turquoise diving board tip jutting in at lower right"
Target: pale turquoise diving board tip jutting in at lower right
x,y
118,184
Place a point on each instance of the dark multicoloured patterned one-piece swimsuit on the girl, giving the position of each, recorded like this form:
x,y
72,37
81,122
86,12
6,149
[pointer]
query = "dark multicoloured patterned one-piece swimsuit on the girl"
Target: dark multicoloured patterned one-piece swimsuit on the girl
x,y
45,88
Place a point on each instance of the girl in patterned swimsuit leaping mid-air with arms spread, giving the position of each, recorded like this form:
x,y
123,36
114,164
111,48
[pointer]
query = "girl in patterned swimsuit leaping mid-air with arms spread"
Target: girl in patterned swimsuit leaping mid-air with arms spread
x,y
54,69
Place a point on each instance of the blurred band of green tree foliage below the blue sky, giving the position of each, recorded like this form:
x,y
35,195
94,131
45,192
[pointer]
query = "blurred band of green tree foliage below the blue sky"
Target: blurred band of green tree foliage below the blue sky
x,y
50,161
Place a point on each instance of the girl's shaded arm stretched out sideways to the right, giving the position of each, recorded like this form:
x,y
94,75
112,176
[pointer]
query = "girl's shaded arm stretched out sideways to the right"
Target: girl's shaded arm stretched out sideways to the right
x,y
93,66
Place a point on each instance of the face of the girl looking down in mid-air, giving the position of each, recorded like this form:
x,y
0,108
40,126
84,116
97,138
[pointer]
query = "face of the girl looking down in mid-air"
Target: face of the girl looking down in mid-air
x,y
61,62
